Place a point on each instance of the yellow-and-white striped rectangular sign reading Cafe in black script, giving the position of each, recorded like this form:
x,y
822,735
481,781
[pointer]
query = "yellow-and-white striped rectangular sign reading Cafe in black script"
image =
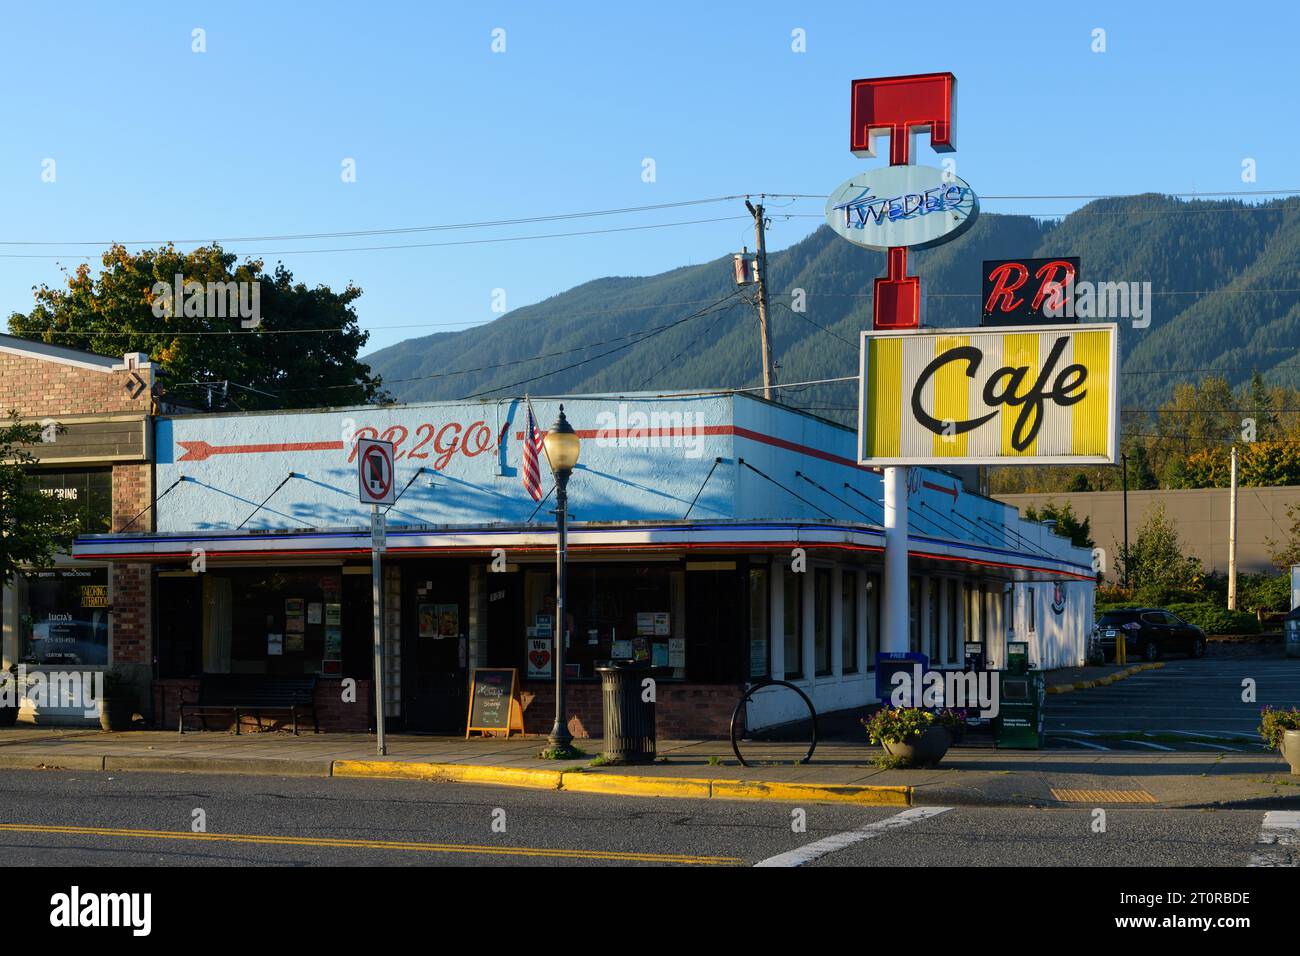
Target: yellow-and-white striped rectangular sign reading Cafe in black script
x,y
1030,396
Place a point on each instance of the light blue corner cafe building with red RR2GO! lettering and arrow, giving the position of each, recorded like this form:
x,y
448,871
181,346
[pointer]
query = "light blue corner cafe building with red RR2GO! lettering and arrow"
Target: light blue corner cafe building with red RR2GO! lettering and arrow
x,y
716,537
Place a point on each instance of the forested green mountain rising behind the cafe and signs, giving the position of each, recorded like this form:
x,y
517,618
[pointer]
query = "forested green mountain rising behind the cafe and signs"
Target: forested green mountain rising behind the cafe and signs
x,y
1225,279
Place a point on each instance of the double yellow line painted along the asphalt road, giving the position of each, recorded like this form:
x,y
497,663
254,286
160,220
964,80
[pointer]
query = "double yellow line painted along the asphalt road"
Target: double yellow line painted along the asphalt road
x,y
336,843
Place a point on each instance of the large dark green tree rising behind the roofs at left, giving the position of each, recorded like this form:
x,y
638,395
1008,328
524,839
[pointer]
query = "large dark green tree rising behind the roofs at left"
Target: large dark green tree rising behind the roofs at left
x,y
302,354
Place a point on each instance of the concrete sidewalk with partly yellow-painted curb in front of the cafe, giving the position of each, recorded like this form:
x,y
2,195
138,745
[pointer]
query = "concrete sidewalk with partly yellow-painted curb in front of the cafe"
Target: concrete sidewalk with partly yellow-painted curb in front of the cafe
x,y
839,773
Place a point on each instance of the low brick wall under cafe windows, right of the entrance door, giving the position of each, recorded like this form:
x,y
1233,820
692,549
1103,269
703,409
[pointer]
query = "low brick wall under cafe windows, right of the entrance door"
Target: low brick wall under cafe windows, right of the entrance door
x,y
682,711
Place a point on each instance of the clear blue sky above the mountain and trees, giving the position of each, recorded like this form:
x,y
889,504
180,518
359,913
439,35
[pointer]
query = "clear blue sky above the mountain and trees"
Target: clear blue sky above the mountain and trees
x,y
155,142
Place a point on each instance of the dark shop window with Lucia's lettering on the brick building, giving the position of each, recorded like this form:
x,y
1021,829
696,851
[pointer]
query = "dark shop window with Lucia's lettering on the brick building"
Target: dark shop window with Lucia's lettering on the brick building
x,y
63,616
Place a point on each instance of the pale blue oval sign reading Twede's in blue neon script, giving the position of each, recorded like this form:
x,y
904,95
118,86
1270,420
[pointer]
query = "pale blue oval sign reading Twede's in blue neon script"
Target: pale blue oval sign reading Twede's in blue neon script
x,y
902,206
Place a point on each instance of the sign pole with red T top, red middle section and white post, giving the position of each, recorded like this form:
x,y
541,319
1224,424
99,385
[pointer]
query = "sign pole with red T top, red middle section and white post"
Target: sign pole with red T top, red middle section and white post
x,y
900,107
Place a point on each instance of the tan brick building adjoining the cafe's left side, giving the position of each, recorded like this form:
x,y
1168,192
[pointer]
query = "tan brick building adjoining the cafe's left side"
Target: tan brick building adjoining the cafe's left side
x,y
97,417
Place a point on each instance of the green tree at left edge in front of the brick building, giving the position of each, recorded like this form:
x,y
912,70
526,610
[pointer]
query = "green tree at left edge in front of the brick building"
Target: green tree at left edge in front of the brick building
x,y
33,526
